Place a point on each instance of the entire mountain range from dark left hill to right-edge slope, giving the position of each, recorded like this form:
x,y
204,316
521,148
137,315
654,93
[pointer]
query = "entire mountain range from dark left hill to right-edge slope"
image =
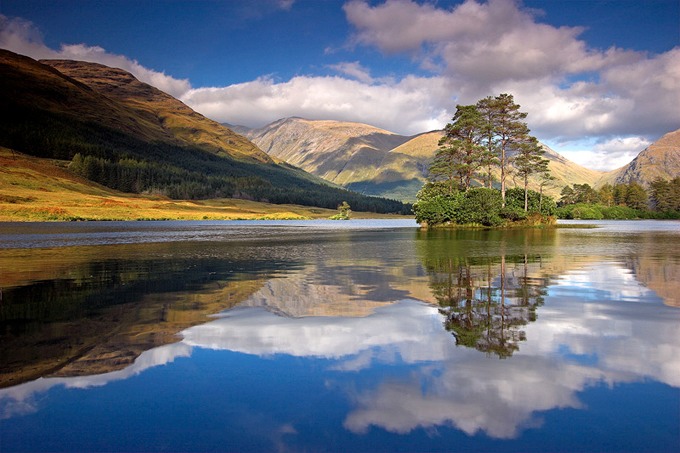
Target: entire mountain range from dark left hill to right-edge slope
x,y
140,139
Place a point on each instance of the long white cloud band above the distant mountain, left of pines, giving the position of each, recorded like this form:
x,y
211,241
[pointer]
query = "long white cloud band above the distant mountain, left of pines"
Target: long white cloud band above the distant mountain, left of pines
x,y
410,106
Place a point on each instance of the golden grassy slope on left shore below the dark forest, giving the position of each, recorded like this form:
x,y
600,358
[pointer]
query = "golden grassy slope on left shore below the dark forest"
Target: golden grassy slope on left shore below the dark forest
x,y
34,189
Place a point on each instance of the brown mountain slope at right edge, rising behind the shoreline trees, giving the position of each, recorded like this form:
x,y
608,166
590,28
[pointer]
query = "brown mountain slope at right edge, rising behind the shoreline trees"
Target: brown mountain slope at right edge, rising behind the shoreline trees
x,y
659,160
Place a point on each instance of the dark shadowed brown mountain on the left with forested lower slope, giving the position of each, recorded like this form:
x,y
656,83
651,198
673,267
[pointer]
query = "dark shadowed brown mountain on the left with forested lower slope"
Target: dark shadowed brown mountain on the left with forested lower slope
x,y
130,136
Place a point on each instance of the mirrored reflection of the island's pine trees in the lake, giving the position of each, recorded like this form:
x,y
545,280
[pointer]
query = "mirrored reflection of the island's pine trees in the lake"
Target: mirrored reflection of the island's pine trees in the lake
x,y
485,295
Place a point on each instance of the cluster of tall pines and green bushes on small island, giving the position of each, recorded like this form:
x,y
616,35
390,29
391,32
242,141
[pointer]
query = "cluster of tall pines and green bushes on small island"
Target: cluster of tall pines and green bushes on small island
x,y
489,134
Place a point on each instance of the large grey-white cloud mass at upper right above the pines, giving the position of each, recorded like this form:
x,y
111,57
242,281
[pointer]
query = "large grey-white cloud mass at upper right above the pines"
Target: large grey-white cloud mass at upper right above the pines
x,y
571,91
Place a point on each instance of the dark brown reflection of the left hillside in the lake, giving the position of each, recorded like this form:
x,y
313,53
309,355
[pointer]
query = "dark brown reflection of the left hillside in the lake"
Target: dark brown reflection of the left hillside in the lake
x,y
87,310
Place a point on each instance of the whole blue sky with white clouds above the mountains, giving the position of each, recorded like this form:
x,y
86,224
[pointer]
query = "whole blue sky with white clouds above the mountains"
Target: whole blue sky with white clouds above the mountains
x,y
599,79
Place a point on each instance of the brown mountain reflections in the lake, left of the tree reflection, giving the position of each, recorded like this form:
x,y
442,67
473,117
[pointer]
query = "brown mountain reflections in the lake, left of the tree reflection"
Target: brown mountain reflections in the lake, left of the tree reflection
x,y
74,311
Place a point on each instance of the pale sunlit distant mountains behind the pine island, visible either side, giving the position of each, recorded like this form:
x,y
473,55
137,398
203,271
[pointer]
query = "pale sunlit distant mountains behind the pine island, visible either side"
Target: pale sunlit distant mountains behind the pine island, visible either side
x,y
376,162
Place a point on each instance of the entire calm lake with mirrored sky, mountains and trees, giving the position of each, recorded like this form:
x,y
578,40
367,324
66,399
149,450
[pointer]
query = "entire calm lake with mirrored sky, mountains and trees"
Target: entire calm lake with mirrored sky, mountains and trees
x,y
339,336
